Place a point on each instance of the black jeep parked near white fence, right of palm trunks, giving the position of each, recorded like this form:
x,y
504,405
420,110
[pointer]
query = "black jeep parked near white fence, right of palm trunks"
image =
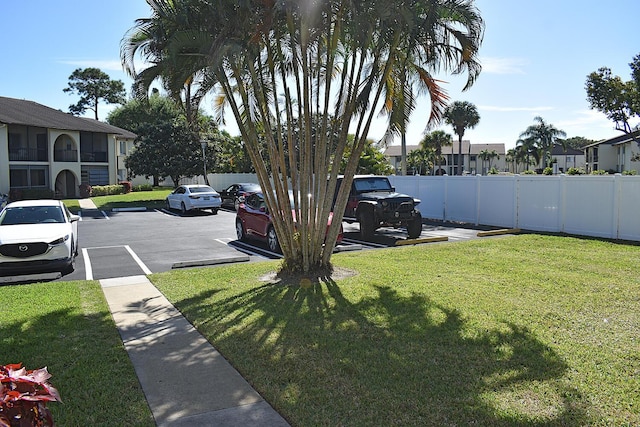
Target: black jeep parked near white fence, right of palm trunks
x,y
374,203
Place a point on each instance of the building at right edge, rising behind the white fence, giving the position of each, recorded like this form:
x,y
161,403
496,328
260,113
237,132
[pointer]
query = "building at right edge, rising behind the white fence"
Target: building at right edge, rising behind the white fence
x,y
618,154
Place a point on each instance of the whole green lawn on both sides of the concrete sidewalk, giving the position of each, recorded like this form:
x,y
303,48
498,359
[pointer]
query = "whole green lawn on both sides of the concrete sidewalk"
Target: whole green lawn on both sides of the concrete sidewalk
x,y
525,330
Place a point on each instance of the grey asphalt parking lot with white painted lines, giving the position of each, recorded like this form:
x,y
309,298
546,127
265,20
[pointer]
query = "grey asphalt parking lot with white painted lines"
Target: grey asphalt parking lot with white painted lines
x,y
129,243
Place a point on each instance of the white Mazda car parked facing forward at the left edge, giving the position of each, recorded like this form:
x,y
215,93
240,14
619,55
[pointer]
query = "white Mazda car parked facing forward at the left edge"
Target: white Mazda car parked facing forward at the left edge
x,y
37,236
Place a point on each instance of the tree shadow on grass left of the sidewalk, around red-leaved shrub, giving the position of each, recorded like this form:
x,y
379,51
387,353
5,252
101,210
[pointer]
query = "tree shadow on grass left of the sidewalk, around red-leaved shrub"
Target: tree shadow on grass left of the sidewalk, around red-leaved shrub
x,y
89,366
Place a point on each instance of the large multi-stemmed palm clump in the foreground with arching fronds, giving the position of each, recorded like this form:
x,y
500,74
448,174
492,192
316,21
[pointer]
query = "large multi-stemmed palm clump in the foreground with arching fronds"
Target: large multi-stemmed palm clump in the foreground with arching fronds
x,y
298,78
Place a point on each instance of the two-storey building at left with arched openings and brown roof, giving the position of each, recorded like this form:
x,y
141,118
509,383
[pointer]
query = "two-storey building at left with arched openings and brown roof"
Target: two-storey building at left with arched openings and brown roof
x,y
46,149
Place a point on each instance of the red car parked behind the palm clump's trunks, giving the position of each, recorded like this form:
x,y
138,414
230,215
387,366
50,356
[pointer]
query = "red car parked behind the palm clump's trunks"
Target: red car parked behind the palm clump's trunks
x,y
253,220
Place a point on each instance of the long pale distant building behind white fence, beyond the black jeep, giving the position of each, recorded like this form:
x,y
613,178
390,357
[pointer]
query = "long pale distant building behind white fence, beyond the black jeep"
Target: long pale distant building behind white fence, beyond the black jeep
x,y
473,163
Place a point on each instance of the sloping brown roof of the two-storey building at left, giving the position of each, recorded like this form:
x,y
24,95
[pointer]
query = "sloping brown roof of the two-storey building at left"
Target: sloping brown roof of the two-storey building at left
x,y
22,112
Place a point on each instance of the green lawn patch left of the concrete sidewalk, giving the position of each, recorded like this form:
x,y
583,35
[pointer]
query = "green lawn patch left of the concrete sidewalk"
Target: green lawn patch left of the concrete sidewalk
x,y
67,327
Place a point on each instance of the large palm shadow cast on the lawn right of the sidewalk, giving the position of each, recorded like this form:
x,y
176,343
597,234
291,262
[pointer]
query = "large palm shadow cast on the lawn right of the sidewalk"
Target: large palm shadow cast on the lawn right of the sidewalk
x,y
389,359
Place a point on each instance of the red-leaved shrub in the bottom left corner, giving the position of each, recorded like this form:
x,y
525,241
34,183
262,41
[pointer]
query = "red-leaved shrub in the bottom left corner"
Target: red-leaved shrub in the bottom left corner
x,y
24,396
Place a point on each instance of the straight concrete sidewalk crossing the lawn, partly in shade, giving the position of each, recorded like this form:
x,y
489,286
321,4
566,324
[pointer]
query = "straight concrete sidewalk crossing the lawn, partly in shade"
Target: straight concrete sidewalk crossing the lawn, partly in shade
x,y
185,380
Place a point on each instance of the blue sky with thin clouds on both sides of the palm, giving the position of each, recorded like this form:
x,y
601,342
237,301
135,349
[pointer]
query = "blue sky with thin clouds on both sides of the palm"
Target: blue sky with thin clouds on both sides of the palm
x,y
535,57
